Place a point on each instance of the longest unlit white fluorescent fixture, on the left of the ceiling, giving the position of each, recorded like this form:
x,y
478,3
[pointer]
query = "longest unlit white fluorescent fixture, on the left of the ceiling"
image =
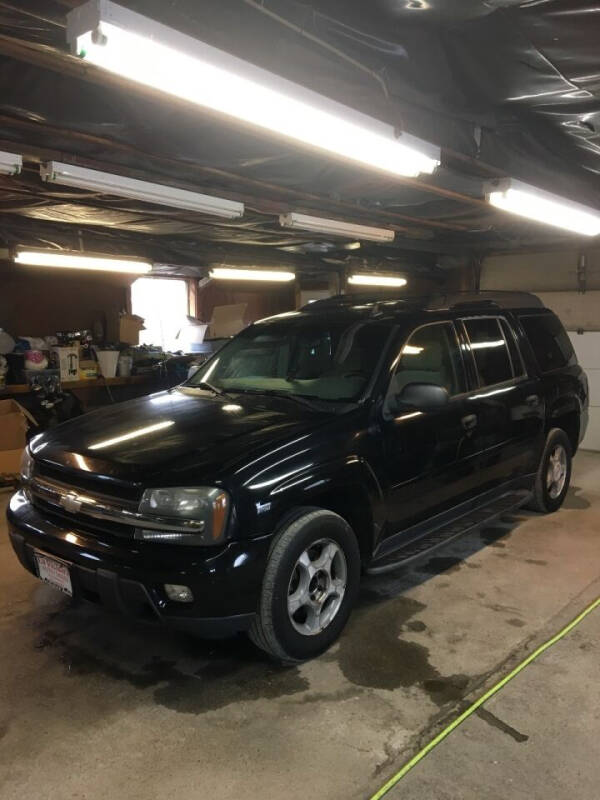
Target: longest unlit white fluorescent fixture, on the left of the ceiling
x,y
106,182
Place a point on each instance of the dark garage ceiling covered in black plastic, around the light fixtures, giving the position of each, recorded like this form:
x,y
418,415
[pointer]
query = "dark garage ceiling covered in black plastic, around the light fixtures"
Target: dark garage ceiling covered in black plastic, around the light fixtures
x,y
505,87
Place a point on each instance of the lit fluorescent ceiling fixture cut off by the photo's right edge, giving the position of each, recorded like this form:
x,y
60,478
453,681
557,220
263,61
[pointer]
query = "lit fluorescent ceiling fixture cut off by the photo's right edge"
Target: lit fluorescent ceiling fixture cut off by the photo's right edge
x,y
549,209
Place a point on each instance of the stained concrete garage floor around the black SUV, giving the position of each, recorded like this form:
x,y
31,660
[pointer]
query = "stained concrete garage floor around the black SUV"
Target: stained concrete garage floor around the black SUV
x,y
94,707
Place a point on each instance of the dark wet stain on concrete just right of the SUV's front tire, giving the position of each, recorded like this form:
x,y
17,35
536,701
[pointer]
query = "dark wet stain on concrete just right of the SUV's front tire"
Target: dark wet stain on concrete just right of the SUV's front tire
x,y
372,653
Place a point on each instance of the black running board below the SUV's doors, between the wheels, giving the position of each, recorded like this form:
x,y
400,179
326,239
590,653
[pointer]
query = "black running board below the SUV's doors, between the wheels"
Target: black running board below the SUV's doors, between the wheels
x,y
441,535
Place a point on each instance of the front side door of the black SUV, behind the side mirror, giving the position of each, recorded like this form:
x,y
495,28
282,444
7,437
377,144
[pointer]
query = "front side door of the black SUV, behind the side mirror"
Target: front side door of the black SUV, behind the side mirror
x,y
428,456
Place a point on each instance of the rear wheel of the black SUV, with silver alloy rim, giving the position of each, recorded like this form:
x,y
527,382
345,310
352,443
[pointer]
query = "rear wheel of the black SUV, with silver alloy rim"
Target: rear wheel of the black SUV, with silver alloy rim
x,y
554,473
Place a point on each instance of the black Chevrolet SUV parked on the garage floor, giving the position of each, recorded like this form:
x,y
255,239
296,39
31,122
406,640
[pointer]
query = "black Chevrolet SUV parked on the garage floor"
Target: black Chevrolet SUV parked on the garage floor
x,y
351,435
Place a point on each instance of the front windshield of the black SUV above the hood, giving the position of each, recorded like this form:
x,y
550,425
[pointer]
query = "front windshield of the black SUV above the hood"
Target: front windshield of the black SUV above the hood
x,y
317,358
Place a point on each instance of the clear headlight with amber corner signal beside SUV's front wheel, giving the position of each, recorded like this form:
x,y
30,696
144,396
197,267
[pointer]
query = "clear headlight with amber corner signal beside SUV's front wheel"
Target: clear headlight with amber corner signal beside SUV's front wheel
x,y
180,515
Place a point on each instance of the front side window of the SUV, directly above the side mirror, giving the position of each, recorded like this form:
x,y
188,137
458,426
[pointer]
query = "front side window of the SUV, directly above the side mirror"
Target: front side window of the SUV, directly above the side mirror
x,y
431,355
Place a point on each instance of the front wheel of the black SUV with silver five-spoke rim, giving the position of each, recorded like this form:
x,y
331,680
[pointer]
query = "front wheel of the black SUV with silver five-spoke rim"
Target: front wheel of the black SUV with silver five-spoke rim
x,y
309,588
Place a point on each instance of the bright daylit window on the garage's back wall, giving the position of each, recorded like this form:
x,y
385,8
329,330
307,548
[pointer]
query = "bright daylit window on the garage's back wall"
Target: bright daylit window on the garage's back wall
x,y
163,304
